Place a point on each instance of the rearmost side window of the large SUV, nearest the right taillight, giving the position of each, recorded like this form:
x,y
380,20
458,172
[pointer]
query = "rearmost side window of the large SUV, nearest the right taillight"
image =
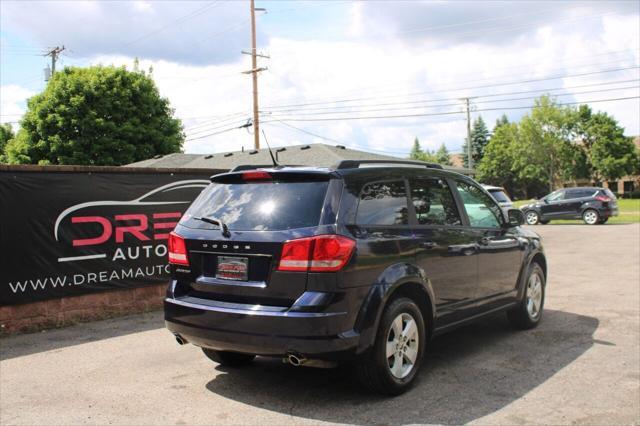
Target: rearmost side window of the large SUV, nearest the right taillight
x,y
383,203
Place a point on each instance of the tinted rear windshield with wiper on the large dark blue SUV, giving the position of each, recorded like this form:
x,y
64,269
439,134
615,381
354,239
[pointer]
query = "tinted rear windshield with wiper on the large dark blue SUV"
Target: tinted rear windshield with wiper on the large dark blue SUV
x,y
272,206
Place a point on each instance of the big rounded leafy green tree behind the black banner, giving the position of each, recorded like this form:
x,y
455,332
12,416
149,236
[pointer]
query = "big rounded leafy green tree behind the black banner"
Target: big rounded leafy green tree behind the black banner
x,y
96,116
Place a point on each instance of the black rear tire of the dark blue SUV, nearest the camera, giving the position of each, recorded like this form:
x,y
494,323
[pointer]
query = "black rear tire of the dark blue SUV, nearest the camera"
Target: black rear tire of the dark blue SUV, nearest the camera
x,y
374,370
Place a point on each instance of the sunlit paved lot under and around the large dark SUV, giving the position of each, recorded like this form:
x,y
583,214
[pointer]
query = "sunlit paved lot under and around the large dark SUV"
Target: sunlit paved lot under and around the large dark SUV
x,y
582,365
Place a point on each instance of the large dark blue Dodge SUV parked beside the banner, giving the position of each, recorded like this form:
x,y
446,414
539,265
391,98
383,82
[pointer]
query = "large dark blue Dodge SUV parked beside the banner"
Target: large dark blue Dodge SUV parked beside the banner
x,y
363,262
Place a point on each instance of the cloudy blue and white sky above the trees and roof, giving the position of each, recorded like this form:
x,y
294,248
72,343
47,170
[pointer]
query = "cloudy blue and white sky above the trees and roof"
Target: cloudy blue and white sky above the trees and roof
x,y
369,75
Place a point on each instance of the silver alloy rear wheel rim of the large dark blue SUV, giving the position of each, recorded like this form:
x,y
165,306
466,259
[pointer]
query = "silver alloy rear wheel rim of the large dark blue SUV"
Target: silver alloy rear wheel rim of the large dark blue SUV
x,y
402,345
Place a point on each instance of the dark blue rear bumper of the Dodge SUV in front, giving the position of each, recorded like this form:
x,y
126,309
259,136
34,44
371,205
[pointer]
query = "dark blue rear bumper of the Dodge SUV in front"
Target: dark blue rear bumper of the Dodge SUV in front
x,y
230,327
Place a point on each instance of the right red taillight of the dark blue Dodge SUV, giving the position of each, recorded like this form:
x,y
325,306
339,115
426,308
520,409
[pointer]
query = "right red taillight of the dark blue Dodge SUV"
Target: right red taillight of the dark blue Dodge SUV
x,y
322,253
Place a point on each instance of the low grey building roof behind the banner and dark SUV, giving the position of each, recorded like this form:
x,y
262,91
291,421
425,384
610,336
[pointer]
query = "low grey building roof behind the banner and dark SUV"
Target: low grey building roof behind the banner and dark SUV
x,y
316,155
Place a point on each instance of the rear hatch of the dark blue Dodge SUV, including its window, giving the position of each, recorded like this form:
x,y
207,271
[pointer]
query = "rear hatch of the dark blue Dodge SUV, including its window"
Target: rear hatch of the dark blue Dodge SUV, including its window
x,y
235,231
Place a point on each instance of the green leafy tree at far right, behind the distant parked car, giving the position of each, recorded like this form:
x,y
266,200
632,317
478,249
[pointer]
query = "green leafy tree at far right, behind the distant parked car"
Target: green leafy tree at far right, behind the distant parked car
x,y
606,153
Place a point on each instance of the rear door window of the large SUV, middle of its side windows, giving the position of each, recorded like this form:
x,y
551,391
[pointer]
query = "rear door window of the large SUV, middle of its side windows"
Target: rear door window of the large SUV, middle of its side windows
x,y
434,203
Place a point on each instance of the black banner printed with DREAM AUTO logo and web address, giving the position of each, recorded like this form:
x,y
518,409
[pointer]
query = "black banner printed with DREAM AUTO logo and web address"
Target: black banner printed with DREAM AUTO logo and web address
x,y
71,233
